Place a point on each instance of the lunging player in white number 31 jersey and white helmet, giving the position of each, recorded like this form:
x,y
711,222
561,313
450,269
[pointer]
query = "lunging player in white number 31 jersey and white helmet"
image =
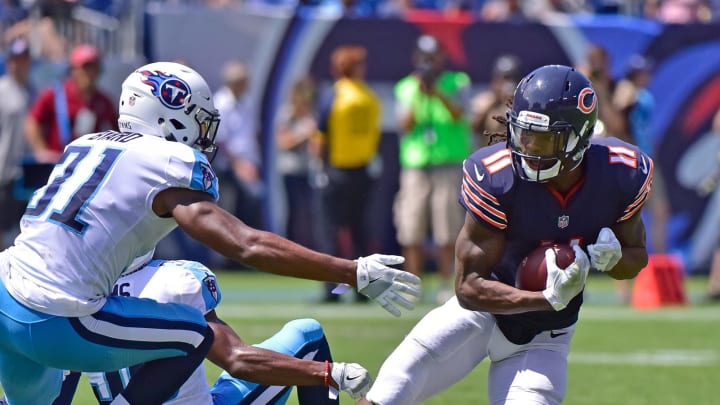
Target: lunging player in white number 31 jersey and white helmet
x,y
110,199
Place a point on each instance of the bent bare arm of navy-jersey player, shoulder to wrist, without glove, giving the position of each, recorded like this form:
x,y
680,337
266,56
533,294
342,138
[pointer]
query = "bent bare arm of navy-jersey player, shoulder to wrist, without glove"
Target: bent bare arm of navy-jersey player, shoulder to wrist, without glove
x,y
477,251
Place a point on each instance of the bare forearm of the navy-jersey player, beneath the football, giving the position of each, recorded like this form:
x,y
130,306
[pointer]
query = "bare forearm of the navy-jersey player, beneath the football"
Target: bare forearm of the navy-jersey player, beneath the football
x,y
479,294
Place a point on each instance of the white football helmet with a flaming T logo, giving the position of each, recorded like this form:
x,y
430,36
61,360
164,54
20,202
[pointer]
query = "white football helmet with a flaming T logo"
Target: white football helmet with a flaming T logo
x,y
171,101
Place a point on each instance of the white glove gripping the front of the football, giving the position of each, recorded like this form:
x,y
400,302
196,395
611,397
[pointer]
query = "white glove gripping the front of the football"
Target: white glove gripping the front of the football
x,y
563,285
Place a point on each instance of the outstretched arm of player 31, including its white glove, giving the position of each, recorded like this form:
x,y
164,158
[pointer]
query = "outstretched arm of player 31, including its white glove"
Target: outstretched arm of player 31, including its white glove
x,y
198,215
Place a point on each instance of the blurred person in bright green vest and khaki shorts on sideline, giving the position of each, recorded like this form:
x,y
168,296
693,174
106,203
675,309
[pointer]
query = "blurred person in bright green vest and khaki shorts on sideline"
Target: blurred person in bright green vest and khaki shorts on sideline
x,y
435,138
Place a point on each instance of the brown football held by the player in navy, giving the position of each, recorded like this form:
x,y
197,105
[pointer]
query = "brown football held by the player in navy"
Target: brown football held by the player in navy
x,y
531,274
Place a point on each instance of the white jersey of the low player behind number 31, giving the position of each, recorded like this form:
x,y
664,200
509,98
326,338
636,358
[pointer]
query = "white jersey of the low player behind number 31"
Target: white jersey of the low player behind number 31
x,y
175,281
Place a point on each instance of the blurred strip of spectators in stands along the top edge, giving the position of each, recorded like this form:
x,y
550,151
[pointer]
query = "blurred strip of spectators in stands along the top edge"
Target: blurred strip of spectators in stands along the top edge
x,y
19,13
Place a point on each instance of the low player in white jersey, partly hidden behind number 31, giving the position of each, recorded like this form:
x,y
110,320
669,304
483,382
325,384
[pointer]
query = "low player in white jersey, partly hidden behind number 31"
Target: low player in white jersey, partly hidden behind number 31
x,y
297,355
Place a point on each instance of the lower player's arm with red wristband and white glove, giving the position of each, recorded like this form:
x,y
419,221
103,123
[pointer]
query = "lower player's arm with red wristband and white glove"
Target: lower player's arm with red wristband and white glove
x,y
266,367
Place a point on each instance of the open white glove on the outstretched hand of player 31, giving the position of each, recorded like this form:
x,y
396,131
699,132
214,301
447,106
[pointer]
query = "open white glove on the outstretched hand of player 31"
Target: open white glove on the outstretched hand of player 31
x,y
389,287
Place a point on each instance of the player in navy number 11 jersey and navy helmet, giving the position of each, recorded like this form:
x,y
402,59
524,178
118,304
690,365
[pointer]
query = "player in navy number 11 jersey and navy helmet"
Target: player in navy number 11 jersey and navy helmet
x,y
548,183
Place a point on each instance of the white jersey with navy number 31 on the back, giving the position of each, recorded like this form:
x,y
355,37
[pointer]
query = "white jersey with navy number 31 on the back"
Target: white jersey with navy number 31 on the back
x,y
82,229
